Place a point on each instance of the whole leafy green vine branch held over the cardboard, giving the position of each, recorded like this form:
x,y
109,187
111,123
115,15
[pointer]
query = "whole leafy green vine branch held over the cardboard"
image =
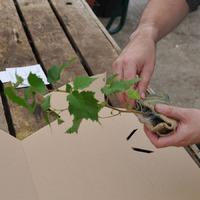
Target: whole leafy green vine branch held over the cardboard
x,y
82,103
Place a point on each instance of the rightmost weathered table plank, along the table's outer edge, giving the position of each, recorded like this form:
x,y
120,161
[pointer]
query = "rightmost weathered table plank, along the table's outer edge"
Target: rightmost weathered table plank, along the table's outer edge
x,y
95,47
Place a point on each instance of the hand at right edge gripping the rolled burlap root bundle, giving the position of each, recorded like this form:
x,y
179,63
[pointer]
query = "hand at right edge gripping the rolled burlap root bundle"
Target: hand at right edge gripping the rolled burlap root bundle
x,y
188,129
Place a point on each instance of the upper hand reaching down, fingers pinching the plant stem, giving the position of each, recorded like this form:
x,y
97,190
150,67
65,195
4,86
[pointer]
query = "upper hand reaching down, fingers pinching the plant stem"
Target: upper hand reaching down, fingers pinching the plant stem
x,y
138,58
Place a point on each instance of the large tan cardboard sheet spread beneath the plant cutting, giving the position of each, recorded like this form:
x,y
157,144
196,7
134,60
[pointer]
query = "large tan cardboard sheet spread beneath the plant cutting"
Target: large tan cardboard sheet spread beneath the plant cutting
x,y
98,163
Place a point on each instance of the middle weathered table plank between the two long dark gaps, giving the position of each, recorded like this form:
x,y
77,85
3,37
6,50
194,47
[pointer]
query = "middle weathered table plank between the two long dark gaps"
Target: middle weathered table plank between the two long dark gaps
x,y
49,39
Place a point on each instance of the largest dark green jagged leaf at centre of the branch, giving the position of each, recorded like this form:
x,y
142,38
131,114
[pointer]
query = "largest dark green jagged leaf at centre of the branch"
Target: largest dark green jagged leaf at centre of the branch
x,y
83,105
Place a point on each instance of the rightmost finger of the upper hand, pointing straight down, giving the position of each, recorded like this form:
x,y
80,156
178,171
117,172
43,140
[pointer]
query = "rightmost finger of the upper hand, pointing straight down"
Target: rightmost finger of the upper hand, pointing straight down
x,y
145,76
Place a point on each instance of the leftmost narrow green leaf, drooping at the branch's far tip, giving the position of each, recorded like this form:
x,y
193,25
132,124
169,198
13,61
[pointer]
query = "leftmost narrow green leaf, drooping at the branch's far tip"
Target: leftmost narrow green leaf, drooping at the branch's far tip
x,y
12,95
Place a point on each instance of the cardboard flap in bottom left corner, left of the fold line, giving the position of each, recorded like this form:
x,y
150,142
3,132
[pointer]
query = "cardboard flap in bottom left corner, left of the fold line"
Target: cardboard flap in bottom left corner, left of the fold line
x,y
15,176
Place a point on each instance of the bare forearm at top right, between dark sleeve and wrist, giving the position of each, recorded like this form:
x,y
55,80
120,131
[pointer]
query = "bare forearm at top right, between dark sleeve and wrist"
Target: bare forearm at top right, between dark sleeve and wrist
x,y
162,16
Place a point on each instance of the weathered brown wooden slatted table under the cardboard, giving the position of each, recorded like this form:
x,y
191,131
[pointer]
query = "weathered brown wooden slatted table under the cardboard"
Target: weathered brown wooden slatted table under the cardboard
x,y
51,32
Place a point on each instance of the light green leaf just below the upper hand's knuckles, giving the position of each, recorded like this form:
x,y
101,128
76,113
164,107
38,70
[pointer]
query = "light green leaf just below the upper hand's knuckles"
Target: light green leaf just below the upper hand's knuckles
x,y
119,86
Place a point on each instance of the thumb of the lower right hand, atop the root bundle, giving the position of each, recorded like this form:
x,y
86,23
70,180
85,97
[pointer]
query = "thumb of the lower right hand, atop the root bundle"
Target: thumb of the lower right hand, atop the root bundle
x,y
170,111
